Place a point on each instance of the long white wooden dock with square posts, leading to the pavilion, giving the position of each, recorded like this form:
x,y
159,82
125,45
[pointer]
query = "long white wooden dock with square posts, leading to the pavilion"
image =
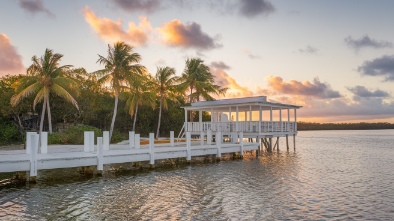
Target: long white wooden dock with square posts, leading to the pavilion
x,y
41,157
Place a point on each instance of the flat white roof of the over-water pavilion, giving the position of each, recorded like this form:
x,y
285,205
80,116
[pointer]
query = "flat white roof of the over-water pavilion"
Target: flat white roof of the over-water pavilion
x,y
246,103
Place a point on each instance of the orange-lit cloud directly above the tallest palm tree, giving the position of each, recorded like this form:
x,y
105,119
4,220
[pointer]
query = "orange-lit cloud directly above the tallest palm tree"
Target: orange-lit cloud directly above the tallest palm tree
x,y
112,31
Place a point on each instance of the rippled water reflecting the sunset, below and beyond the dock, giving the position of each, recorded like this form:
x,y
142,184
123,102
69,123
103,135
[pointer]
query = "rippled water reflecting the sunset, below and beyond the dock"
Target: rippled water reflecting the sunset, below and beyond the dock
x,y
332,175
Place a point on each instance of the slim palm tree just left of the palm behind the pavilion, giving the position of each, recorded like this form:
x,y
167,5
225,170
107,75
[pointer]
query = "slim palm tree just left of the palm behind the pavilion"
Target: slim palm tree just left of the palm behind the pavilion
x,y
166,89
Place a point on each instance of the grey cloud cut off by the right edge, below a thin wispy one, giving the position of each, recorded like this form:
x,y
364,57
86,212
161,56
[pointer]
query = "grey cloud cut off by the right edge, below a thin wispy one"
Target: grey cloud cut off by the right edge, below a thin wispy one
x,y
383,66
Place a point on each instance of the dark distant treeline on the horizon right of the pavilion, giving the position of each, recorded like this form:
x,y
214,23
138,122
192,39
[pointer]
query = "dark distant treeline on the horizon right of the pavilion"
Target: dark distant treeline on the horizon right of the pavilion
x,y
343,126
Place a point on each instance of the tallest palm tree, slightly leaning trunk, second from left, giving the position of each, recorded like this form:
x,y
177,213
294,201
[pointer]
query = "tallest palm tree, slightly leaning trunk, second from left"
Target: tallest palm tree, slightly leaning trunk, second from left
x,y
119,65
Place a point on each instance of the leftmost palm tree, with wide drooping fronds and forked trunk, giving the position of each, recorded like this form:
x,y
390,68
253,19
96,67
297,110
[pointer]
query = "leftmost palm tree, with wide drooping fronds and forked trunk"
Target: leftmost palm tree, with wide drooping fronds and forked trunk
x,y
43,77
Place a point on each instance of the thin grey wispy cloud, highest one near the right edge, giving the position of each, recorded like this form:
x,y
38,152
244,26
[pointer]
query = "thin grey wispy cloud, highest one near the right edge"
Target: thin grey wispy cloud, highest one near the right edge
x,y
366,42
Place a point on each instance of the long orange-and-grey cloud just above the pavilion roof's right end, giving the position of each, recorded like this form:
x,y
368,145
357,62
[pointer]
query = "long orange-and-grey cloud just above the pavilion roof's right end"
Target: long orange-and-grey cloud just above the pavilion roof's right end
x,y
306,88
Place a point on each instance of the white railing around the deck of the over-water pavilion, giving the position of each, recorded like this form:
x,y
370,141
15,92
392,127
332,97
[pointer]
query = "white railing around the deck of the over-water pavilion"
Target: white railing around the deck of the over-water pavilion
x,y
247,127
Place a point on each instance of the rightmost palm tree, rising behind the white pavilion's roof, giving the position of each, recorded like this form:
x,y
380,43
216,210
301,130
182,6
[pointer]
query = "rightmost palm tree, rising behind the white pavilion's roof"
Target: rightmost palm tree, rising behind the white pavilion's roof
x,y
197,78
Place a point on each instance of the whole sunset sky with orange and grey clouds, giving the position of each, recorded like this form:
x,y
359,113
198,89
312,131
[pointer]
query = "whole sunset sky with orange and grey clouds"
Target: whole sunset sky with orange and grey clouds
x,y
335,58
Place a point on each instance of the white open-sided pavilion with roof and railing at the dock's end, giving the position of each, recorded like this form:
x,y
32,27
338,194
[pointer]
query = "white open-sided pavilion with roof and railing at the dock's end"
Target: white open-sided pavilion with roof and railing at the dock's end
x,y
254,116
